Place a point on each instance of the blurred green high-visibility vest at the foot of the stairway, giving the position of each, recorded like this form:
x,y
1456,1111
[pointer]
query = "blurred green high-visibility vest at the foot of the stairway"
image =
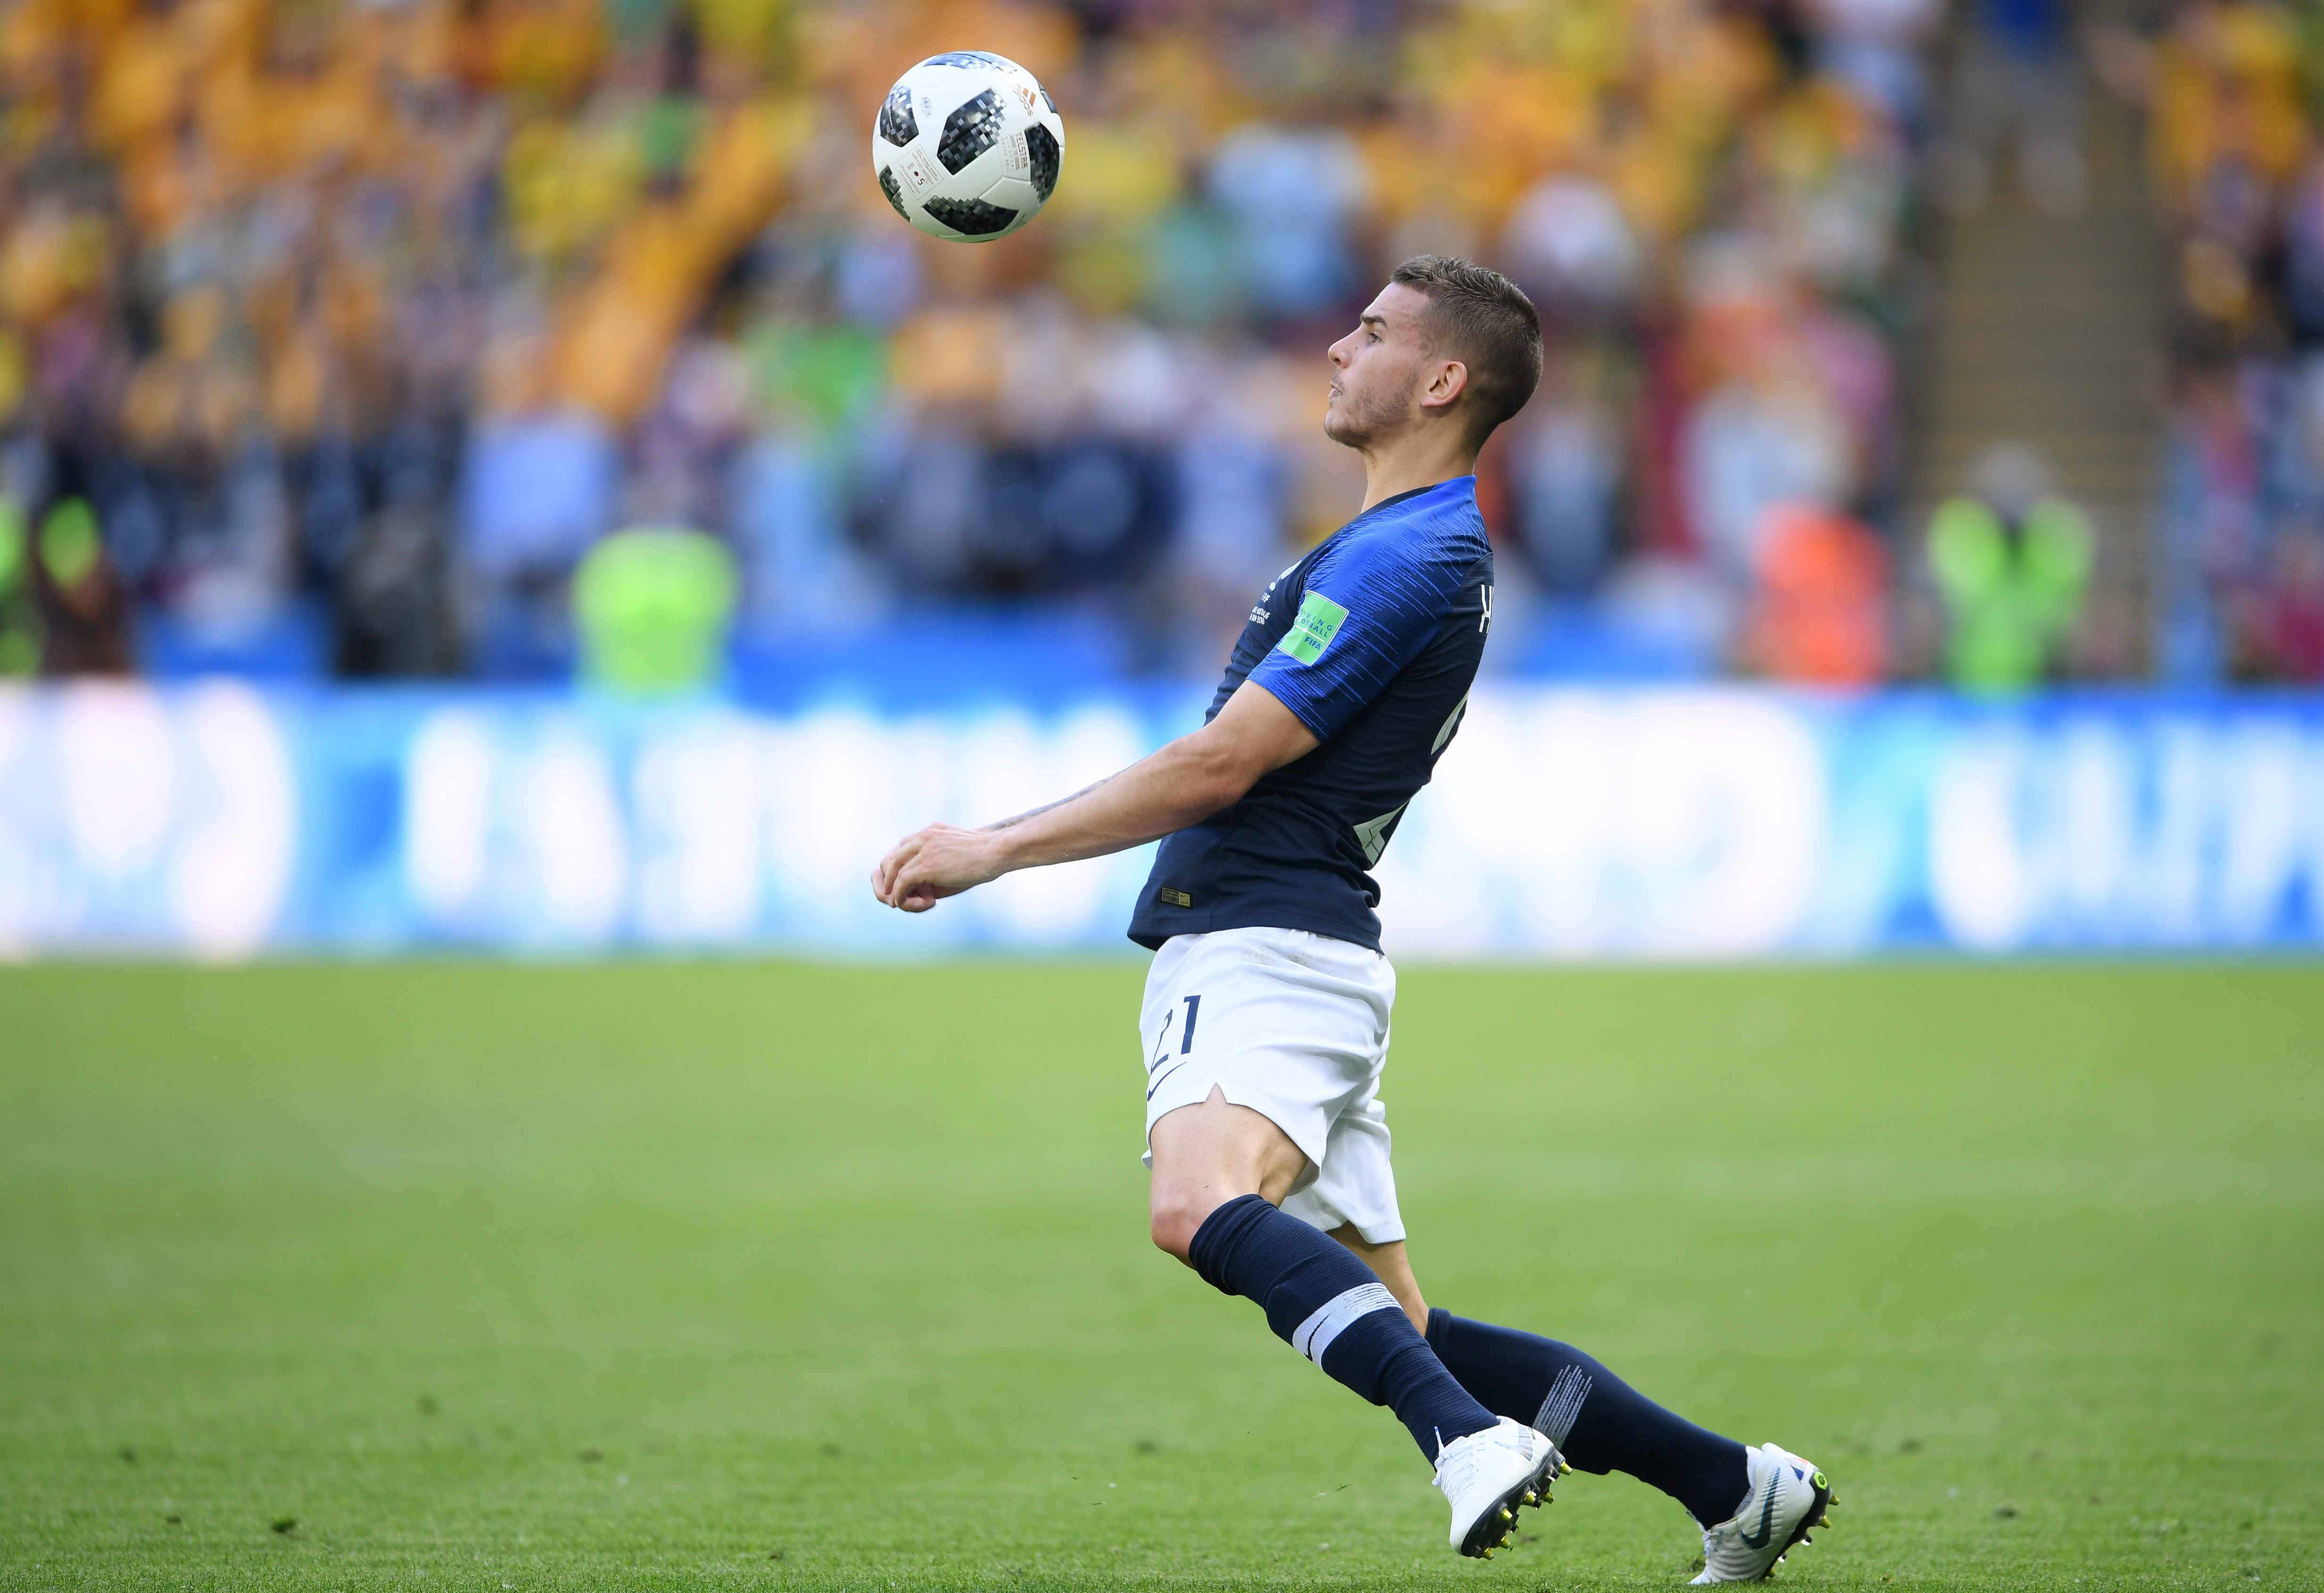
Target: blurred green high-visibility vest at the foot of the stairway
x,y
2009,599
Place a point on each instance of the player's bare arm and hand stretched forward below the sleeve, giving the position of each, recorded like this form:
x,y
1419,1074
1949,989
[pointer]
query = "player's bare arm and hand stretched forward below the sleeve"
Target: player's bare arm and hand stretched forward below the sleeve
x,y
1182,785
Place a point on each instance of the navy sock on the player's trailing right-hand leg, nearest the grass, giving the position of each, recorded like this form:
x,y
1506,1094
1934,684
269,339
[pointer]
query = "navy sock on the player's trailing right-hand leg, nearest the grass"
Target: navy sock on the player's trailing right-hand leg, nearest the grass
x,y
1600,1422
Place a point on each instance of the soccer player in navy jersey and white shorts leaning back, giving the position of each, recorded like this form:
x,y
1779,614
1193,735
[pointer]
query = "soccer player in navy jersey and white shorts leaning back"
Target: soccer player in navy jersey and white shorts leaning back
x,y
1265,1020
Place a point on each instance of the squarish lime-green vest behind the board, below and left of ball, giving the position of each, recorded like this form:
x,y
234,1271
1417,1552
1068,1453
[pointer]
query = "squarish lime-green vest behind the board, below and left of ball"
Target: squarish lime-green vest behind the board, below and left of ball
x,y
654,610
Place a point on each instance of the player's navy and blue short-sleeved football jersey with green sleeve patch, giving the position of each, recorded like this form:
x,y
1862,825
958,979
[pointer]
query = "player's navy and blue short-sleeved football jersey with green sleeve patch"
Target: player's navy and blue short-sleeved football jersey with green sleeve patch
x,y
1372,641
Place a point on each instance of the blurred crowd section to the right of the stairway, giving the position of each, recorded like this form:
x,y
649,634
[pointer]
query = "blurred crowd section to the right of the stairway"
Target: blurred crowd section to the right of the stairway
x,y
2235,97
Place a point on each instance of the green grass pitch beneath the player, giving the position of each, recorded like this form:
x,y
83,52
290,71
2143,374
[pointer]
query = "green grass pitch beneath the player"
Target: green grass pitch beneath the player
x,y
835,1278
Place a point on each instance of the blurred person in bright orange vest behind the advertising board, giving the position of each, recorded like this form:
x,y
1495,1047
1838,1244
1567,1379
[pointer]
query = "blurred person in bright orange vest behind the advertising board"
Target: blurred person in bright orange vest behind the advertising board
x,y
1821,613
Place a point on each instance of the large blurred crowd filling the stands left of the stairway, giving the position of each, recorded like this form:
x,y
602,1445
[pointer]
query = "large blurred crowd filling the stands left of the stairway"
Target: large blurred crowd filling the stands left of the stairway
x,y
343,336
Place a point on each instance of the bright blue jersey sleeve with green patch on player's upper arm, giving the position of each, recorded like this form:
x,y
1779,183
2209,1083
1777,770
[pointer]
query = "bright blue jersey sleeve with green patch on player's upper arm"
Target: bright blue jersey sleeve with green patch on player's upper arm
x,y
1365,613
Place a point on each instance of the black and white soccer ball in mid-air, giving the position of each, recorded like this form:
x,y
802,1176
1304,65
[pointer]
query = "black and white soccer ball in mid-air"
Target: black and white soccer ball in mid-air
x,y
968,148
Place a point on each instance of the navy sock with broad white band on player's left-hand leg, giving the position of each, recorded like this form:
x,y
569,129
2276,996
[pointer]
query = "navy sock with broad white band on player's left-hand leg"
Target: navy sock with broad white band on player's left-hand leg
x,y
1328,1306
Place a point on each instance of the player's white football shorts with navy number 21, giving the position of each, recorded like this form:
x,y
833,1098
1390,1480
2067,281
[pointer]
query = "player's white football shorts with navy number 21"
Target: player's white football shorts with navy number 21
x,y
1293,1027
